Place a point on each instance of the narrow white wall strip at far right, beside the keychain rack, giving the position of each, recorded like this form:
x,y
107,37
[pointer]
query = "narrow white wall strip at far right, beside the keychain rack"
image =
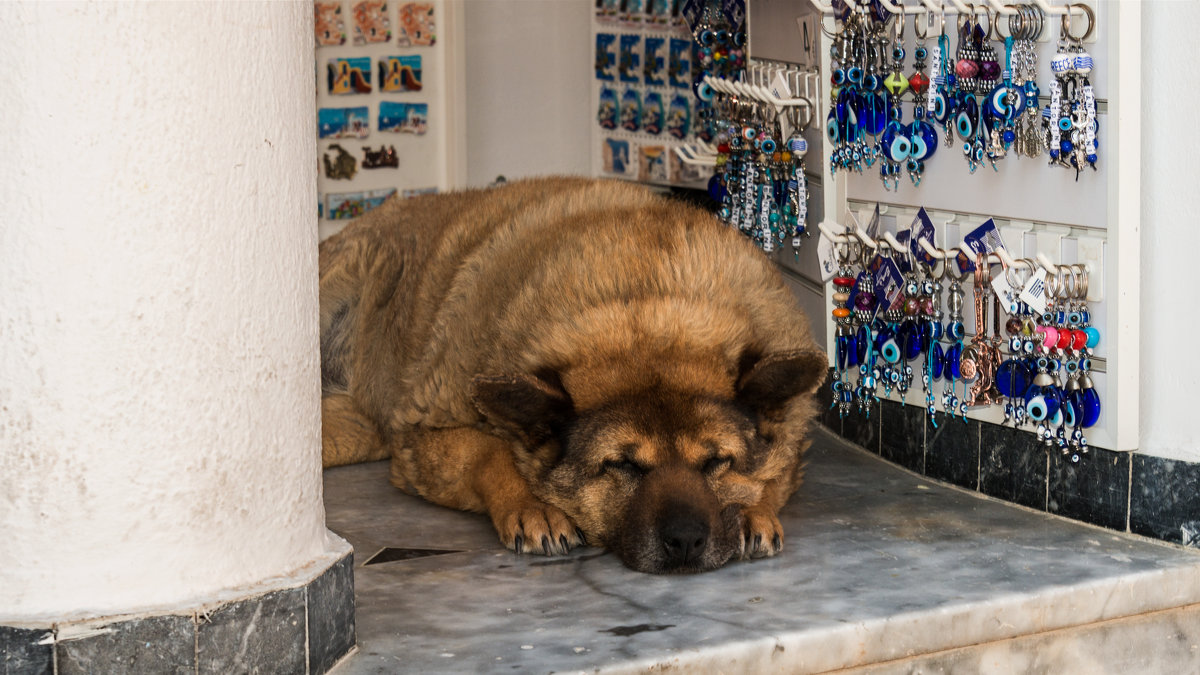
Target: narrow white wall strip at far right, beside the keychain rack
x,y
1171,226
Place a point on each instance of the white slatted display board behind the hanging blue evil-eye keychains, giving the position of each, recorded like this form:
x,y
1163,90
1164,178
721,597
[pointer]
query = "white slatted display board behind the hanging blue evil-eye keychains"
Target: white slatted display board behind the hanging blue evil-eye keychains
x,y
1066,223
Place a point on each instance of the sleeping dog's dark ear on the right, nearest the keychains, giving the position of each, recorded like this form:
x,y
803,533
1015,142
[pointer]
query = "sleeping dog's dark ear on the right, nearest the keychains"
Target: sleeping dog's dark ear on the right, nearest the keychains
x,y
769,383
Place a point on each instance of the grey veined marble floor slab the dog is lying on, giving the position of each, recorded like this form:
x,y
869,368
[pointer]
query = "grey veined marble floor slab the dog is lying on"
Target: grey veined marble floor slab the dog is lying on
x,y
883,572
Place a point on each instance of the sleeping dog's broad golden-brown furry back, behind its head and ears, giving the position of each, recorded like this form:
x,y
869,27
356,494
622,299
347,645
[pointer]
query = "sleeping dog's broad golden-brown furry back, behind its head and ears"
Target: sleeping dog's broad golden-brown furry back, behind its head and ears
x,y
593,280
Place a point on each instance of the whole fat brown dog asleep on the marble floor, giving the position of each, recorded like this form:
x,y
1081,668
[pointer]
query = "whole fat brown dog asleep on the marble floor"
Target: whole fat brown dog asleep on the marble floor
x,y
580,360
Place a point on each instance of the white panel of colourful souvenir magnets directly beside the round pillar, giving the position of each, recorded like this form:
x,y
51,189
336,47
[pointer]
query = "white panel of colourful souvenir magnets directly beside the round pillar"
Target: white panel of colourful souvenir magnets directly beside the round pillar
x,y
381,86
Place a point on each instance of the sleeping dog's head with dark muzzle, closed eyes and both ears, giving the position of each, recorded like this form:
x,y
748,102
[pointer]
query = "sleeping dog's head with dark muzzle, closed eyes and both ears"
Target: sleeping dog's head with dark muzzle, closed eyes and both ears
x,y
657,474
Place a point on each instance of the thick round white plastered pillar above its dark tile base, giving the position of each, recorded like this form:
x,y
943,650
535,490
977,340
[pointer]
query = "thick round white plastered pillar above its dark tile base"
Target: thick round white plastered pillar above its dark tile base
x,y
159,359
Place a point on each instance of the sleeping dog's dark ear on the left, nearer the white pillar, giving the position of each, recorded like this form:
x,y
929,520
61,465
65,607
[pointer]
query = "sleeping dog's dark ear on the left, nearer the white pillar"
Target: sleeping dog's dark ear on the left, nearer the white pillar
x,y
531,409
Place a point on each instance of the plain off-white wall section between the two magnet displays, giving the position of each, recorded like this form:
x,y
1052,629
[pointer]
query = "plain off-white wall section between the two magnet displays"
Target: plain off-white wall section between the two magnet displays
x,y
529,88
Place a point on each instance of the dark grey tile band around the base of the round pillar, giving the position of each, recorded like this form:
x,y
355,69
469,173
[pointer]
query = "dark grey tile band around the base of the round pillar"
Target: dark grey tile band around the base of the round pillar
x,y
307,629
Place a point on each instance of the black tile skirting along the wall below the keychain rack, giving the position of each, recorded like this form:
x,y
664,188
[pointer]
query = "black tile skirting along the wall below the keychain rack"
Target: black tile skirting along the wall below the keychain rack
x,y
1126,492
